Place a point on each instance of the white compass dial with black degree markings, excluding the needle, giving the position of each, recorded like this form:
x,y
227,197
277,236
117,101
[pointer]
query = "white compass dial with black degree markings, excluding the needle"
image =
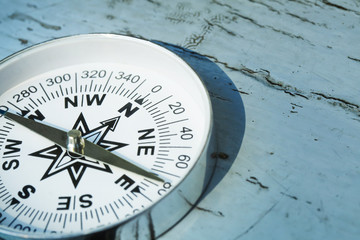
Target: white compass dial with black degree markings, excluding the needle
x,y
154,120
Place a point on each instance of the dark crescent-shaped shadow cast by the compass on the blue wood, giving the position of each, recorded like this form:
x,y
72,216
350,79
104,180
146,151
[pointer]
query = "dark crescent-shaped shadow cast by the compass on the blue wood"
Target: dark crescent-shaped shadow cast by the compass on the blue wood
x,y
228,111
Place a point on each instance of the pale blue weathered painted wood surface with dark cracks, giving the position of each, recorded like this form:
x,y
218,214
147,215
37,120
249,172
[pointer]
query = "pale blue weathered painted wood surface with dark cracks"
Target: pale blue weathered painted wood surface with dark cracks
x,y
296,65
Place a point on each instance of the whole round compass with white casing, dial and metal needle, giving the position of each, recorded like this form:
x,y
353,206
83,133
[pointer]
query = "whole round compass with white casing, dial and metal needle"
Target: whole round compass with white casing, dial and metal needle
x,y
101,137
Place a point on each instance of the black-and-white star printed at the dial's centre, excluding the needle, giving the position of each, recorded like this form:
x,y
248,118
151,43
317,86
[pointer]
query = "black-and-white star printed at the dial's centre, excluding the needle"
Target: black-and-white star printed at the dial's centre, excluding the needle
x,y
75,164
